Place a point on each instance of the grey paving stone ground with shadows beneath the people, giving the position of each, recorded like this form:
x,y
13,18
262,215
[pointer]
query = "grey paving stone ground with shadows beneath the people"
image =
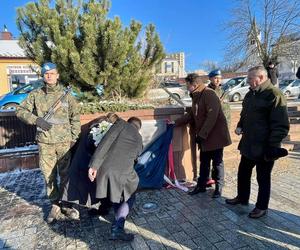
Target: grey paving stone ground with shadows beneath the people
x,y
180,222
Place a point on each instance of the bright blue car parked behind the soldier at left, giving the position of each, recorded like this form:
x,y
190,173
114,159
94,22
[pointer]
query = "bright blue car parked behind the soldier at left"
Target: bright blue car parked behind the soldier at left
x,y
15,97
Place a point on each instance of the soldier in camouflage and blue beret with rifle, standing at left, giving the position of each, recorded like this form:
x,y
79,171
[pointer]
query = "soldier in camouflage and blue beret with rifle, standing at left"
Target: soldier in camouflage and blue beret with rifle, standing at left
x,y
55,136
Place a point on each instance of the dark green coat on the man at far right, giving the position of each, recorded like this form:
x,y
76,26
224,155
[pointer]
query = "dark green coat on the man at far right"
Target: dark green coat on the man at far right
x,y
264,121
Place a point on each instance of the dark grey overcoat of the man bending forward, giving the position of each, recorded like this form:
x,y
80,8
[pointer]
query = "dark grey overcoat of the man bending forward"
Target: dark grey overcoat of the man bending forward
x,y
114,159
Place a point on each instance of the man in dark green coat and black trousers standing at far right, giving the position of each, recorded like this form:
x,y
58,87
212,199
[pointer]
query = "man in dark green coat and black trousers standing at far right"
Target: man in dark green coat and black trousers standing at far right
x,y
263,125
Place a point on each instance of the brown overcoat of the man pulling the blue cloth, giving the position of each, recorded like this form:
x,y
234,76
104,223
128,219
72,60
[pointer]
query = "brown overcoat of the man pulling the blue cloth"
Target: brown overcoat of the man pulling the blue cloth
x,y
208,119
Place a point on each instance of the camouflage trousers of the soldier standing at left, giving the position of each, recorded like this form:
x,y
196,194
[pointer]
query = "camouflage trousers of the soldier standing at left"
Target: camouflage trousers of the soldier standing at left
x,y
54,163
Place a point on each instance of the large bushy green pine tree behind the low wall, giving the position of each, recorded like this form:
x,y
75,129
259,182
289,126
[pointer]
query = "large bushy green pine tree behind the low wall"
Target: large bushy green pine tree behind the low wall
x,y
88,47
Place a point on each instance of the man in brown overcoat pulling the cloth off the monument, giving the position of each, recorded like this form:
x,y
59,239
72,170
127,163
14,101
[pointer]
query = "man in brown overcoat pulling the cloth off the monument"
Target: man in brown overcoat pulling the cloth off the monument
x,y
211,132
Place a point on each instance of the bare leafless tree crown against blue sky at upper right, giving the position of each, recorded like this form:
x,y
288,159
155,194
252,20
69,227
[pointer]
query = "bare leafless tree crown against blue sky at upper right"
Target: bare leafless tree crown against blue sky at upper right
x,y
262,29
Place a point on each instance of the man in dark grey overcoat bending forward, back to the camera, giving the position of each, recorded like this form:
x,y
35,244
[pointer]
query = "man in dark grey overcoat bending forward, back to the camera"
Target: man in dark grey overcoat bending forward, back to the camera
x,y
112,166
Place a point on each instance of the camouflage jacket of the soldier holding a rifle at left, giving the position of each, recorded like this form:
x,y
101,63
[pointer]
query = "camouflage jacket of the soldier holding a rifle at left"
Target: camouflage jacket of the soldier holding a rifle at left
x,y
65,121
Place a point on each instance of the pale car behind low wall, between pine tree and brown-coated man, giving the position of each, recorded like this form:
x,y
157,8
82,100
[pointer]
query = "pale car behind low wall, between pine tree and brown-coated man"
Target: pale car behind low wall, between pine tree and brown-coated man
x,y
165,91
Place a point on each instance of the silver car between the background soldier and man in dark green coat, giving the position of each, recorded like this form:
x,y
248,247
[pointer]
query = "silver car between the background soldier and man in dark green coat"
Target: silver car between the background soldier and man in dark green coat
x,y
236,88
